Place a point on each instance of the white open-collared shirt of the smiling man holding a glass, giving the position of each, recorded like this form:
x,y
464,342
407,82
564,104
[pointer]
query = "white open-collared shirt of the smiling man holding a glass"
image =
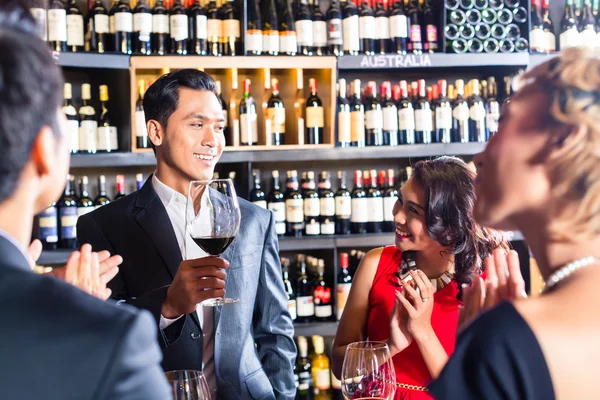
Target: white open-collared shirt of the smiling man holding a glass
x,y
175,204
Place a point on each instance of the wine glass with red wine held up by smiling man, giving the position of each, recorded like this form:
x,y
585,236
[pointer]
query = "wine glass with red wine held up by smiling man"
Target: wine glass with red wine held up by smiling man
x,y
212,221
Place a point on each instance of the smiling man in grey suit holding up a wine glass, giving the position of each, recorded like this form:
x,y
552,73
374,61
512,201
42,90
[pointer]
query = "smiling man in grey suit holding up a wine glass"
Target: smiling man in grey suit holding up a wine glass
x,y
245,349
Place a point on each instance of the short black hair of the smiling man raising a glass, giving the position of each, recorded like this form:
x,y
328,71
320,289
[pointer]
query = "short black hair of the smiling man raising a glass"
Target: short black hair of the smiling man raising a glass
x,y
162,97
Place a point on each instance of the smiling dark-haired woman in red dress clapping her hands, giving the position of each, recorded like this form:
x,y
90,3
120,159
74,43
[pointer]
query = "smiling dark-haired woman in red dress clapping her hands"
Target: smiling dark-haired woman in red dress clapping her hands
x,y
408,294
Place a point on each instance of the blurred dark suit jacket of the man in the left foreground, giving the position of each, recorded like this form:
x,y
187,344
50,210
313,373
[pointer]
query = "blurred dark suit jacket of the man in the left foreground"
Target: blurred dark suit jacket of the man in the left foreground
x,y
57,342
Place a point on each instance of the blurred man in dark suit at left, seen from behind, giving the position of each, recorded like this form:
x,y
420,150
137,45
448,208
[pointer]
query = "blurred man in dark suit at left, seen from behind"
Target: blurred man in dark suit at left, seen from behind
x,y
56,342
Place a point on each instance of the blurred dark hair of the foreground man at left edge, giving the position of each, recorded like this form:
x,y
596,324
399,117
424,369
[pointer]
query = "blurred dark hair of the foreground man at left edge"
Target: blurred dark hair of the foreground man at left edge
x,y
30,95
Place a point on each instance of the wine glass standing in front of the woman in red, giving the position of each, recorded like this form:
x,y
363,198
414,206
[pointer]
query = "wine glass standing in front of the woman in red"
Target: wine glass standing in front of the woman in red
x,y
368,372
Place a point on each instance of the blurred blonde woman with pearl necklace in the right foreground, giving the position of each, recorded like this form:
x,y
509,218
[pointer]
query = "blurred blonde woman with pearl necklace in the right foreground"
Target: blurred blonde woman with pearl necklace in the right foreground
x,y
540,174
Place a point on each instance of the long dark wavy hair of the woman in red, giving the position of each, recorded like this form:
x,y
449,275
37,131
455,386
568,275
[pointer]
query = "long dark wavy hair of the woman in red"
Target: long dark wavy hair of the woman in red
x,y
448,183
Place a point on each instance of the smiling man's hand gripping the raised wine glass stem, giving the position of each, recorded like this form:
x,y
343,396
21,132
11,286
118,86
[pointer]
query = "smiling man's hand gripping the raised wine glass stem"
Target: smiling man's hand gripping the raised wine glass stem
x,y
196,281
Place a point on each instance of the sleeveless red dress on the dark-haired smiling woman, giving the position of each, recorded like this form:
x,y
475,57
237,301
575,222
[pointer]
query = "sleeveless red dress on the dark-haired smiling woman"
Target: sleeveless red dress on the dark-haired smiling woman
x,y
409,364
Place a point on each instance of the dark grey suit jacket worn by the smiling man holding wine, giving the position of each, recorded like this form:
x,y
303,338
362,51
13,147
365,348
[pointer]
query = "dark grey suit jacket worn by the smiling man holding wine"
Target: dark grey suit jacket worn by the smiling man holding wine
x,y
254,347
